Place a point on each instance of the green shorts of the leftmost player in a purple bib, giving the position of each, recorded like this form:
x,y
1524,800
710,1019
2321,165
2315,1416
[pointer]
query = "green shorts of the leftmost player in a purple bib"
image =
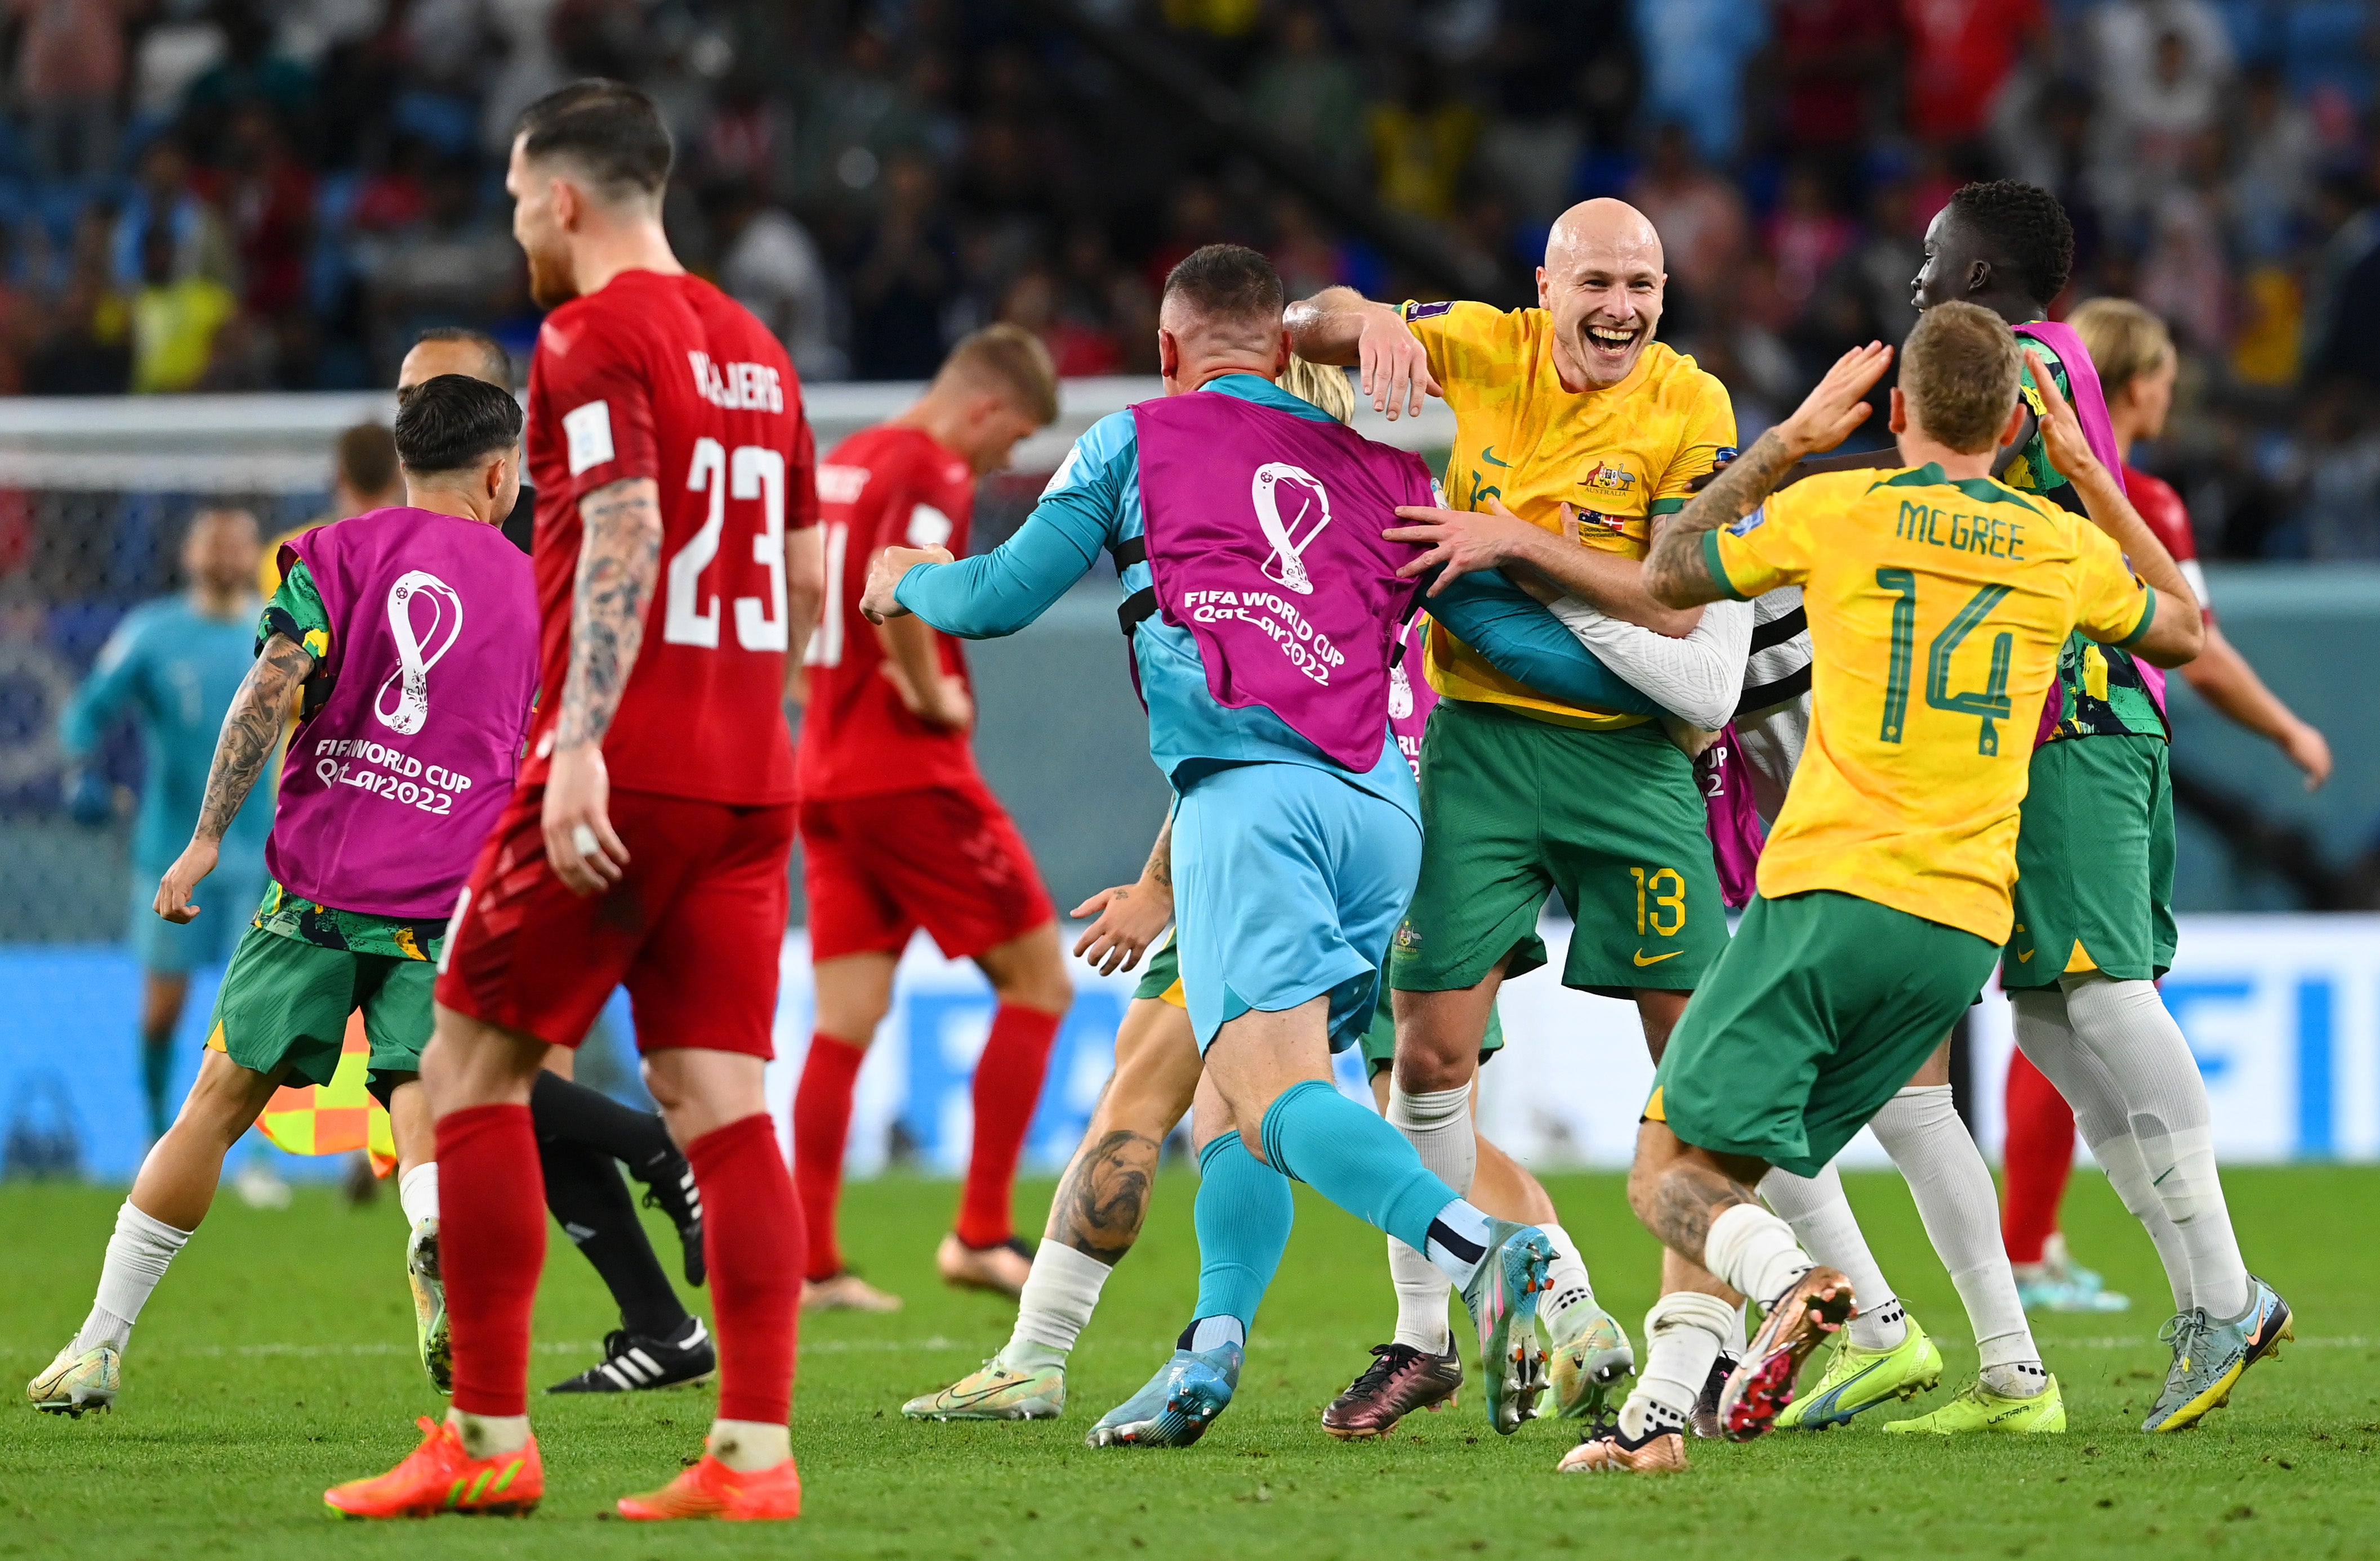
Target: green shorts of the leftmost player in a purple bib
x,y
287,1001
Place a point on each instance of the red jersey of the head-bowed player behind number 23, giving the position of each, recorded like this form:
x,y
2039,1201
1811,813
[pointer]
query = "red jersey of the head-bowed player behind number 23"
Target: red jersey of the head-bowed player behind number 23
x,y
879,489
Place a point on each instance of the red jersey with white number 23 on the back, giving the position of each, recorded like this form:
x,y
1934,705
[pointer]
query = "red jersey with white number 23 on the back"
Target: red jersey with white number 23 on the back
x,y
672,380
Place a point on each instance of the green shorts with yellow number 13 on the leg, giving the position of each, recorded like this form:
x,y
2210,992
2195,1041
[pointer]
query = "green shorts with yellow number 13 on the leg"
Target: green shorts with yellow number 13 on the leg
x,y
1515,810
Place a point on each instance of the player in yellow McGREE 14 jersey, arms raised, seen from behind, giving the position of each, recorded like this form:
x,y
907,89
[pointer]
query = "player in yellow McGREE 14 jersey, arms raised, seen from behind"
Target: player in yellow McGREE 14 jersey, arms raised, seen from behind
x,y
1939,603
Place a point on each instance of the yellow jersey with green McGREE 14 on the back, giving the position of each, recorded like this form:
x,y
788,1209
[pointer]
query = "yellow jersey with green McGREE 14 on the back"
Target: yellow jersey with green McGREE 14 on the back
x,y
1936,617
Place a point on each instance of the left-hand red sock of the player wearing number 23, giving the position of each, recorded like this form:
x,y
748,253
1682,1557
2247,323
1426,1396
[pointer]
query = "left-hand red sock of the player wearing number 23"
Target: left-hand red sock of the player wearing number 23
x,y
491,1248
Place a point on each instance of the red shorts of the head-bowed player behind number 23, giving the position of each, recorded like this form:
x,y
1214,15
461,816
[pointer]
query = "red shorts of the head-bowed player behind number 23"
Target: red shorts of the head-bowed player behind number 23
x,y
946,860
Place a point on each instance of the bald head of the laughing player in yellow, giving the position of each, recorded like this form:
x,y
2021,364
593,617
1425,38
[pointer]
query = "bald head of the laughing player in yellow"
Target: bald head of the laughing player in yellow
x,y
1603,284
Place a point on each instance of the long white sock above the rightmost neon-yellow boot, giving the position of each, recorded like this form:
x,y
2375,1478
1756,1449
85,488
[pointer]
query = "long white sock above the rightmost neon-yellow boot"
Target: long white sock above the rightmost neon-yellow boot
x,y
1955,1196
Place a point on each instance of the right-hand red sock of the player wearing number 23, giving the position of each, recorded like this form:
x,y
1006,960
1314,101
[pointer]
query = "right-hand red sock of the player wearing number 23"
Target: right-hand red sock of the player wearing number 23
x,y
753,1243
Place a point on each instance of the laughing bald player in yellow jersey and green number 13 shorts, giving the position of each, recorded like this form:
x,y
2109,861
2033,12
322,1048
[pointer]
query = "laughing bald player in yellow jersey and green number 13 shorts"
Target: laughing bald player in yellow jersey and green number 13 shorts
x,y
1574,434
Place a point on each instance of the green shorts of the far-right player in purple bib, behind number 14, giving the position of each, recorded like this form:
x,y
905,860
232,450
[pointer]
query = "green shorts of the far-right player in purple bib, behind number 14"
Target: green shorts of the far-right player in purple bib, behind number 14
x,y
2093,865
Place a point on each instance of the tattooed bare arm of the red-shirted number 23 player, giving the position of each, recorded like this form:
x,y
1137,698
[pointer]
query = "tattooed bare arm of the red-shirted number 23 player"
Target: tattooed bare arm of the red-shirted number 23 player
x,y
620,556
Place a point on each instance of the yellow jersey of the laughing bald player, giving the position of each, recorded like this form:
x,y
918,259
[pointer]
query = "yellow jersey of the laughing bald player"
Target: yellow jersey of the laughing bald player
x,y
1620,458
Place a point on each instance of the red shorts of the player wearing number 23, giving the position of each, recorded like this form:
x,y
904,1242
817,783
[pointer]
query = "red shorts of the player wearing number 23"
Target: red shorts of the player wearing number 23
x,y
694,929
